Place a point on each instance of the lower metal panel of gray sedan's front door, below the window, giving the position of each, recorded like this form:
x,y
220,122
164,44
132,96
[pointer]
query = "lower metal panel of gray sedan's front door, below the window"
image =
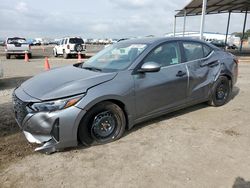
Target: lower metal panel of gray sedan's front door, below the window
x,y
156,92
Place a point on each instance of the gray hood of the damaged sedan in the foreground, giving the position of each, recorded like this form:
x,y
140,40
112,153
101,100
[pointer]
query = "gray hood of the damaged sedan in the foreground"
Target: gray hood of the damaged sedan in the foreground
x,y
63,82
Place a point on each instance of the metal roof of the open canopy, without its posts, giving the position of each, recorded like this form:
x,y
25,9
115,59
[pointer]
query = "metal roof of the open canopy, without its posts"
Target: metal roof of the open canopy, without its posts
x,y
215,7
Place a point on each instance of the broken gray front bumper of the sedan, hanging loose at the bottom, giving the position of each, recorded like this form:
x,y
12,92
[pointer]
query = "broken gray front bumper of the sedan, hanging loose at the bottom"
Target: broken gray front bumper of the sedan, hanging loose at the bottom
x,y
54,130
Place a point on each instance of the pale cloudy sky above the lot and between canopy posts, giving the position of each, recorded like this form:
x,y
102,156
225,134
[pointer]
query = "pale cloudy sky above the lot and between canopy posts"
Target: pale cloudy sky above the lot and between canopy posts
x,y
103,18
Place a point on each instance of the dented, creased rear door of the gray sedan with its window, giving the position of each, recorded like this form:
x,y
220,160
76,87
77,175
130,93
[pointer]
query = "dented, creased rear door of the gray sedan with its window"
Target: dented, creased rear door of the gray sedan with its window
x,y
201,64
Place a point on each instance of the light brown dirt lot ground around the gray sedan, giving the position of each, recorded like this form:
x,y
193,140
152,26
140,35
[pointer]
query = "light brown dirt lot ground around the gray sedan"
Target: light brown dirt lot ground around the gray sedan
x,y
200,146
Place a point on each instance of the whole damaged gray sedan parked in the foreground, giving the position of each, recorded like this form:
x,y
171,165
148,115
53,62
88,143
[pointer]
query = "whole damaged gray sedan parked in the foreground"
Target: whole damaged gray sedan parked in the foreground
x,y
124,84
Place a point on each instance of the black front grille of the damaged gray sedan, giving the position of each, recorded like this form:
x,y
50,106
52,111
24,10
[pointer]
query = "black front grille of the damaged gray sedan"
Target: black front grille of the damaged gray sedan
x,y
19,109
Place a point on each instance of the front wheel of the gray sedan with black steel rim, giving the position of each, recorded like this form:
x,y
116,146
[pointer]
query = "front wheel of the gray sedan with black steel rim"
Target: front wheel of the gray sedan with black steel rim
x,y
103,123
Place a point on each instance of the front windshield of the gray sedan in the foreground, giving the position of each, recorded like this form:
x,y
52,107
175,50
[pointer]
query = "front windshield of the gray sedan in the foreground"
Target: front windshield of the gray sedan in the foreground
x,y
115,57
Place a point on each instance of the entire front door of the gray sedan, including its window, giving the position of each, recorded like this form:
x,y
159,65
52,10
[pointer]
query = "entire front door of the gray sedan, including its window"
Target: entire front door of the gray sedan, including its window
x,y
158,91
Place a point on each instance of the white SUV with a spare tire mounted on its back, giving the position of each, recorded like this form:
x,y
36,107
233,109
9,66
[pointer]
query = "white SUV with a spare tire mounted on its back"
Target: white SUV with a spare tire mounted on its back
x,y
70,46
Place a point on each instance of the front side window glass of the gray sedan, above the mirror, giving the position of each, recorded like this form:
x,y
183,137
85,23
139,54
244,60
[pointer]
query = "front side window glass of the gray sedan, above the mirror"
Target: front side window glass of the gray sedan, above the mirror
x,y
165,54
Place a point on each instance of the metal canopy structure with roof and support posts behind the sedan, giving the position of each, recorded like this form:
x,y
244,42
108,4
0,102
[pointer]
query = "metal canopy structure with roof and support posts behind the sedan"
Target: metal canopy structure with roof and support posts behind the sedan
x,y
203,7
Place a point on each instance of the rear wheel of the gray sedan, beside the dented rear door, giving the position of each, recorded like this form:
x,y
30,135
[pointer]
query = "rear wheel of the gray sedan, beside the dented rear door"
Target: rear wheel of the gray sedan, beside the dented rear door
x,y
221,92
